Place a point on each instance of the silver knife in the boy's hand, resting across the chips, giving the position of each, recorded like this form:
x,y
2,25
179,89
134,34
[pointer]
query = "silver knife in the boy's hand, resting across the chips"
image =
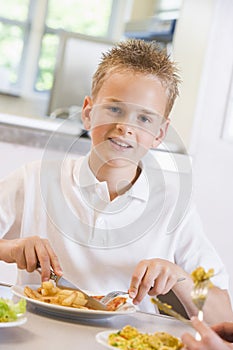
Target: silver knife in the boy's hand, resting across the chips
x,y
63,283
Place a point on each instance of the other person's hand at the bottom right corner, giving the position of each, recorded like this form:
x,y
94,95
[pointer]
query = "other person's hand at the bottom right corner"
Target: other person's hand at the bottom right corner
x,y
218,337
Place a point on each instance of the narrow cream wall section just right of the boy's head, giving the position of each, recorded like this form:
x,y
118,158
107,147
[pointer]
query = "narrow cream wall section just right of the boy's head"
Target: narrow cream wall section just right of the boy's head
x,y
189,50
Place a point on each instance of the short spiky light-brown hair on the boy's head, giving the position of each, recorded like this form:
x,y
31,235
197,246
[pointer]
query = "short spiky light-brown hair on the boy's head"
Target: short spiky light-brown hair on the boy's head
x,y
143,57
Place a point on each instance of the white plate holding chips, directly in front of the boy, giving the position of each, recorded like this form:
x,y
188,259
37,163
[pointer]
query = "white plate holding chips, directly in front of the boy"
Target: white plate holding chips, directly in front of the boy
x,y
65,311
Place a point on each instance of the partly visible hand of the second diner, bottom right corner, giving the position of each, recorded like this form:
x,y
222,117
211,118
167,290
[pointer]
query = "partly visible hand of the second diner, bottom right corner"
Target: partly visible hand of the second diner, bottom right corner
x,y
210,340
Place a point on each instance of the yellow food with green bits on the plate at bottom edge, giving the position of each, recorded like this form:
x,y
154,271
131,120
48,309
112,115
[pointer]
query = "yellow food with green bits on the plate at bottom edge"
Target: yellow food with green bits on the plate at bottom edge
x,y
129,338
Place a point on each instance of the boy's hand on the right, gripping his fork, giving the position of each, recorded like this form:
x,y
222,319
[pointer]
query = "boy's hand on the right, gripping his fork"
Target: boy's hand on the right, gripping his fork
x,y
154,276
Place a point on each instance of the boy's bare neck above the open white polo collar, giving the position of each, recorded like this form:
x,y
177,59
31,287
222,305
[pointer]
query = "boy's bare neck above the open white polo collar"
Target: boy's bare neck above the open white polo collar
x,y
119,179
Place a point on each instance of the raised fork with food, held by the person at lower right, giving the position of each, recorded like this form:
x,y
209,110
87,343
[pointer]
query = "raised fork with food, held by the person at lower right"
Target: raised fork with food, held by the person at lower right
x,y
199,294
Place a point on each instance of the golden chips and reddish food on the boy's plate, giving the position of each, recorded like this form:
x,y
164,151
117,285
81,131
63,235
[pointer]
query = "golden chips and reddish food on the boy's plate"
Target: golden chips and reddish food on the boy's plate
x,y
48,292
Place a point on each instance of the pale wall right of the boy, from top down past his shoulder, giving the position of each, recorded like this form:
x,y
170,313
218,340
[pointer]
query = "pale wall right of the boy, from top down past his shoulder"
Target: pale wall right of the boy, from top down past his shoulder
x,y
203,48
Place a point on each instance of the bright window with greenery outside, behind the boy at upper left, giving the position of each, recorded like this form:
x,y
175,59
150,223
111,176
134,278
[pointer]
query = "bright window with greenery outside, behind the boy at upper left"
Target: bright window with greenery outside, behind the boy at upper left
x,y
29,36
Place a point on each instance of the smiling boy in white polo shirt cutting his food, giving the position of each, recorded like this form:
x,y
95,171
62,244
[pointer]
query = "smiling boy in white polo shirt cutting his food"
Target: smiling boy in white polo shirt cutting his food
x,y
105,220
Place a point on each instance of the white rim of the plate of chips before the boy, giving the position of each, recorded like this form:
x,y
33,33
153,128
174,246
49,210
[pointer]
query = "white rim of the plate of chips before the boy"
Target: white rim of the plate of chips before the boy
x,y
18,291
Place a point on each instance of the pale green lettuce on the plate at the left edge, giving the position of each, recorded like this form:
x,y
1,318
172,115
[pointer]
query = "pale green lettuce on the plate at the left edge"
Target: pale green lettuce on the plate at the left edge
x,y
9,311
